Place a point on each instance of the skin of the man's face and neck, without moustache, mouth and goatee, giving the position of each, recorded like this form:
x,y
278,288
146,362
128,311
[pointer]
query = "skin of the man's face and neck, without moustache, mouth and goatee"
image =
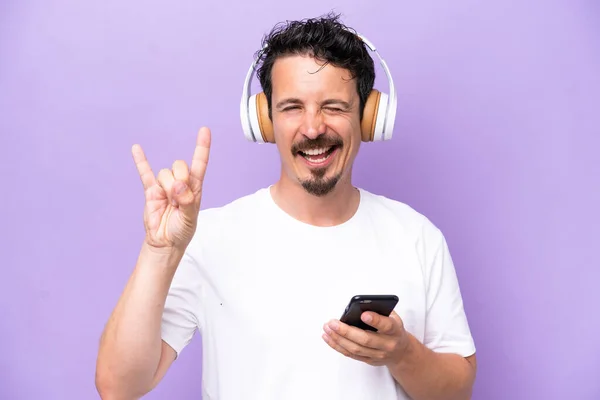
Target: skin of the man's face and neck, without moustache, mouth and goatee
x,y
325,104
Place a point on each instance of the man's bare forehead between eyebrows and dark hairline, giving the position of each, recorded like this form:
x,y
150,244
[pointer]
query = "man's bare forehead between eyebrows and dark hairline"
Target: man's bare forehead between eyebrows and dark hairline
x,y
305,77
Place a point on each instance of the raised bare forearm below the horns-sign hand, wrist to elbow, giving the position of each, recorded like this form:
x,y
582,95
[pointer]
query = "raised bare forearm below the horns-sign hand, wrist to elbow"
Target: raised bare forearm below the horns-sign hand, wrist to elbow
x,y
130,347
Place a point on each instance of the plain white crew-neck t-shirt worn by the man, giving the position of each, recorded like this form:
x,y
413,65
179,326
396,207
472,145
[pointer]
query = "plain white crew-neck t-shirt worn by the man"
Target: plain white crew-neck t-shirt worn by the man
x,y
259,285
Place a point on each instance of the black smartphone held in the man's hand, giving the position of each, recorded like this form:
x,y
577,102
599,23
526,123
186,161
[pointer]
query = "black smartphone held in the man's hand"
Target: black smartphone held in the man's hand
x,y
382,304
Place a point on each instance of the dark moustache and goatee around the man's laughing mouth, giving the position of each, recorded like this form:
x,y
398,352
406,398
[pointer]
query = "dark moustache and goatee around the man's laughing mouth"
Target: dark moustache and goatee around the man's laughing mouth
x,y
318,184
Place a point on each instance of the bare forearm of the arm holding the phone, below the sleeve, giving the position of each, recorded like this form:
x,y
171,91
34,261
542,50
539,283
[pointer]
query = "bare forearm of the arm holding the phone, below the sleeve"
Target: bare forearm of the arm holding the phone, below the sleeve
x,y
427,375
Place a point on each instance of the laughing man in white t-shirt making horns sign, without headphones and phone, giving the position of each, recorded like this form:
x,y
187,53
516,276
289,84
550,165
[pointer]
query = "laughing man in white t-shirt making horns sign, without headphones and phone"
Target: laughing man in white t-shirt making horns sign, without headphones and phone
x,y
265,278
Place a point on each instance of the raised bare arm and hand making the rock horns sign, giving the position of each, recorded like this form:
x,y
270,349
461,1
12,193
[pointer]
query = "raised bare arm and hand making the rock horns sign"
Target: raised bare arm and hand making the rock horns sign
x,y
132,358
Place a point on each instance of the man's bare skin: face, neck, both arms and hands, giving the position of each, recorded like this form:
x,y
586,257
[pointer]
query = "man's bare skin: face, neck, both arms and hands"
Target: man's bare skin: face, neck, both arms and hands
x,y
132,358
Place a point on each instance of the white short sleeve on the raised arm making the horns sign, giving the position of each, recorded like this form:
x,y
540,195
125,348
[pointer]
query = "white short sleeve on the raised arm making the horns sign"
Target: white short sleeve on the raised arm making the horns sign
x,y
180,315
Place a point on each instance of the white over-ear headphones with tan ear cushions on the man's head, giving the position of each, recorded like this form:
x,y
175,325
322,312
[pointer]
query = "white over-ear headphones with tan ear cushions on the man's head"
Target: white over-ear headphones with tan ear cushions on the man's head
x,y
383,120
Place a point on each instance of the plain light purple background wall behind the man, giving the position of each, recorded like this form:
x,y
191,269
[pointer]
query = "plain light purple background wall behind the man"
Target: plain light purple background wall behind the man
x,y
496,141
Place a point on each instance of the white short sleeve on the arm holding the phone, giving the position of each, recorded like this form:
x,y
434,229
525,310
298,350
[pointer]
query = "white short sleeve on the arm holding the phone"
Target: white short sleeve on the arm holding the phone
x,y
446,326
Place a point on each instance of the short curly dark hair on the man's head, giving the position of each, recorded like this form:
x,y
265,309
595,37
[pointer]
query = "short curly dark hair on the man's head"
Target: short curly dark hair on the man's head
x,y
327,39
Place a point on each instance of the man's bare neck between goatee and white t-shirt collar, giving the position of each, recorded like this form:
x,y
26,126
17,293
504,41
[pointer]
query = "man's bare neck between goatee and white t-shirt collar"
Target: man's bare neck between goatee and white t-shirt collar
x,y
332,209
